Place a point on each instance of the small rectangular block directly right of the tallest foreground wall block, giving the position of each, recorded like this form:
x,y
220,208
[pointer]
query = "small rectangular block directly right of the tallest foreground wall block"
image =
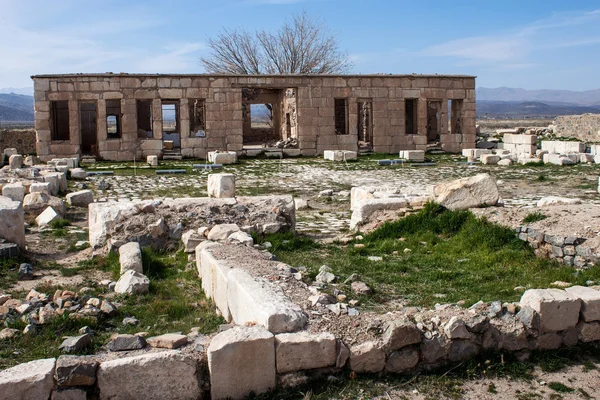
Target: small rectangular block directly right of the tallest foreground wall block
x,y
302,350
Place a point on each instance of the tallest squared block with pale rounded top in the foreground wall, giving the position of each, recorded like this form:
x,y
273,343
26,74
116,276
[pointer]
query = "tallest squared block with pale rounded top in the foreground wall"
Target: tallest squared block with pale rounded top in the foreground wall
x,y
241,360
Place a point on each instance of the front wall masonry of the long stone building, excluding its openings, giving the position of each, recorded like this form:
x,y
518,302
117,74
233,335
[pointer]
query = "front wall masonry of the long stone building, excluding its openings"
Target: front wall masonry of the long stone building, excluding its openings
x,y
314,122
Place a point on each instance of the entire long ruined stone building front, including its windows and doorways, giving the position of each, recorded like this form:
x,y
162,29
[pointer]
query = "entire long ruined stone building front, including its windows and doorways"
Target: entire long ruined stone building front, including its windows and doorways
x,y
122,116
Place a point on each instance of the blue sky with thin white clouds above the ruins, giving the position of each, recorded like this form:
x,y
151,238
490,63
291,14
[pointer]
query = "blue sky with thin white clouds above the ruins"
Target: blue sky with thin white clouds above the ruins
x,y
530,44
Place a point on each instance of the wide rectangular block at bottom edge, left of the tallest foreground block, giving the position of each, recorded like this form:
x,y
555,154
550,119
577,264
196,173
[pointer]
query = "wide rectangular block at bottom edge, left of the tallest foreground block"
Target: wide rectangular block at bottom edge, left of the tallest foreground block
x,y
154,376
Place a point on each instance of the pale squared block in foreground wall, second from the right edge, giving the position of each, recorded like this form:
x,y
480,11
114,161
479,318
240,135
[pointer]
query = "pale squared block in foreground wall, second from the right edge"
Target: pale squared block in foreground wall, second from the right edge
x,y
558,310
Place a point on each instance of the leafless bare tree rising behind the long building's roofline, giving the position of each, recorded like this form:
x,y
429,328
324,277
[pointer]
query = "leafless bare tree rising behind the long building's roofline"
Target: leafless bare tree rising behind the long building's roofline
x,y
301,46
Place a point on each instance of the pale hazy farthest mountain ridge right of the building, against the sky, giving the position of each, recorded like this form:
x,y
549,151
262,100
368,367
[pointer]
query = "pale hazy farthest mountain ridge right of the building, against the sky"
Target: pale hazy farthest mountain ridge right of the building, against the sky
x,y
564,97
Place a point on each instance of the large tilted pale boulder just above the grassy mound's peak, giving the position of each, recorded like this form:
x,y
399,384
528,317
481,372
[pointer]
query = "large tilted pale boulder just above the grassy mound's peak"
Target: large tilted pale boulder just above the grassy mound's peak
x,y
461,194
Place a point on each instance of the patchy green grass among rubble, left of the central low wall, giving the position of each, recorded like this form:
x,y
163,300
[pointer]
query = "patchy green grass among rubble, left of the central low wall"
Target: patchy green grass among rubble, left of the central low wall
x,y
175,303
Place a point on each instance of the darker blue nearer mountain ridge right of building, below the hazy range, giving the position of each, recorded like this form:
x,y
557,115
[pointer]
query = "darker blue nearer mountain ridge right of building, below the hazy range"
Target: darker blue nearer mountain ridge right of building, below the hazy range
x,y
513,109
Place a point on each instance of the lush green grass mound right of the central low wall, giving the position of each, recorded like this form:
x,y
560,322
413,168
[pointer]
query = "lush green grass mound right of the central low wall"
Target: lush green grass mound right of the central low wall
x,y
453,254
